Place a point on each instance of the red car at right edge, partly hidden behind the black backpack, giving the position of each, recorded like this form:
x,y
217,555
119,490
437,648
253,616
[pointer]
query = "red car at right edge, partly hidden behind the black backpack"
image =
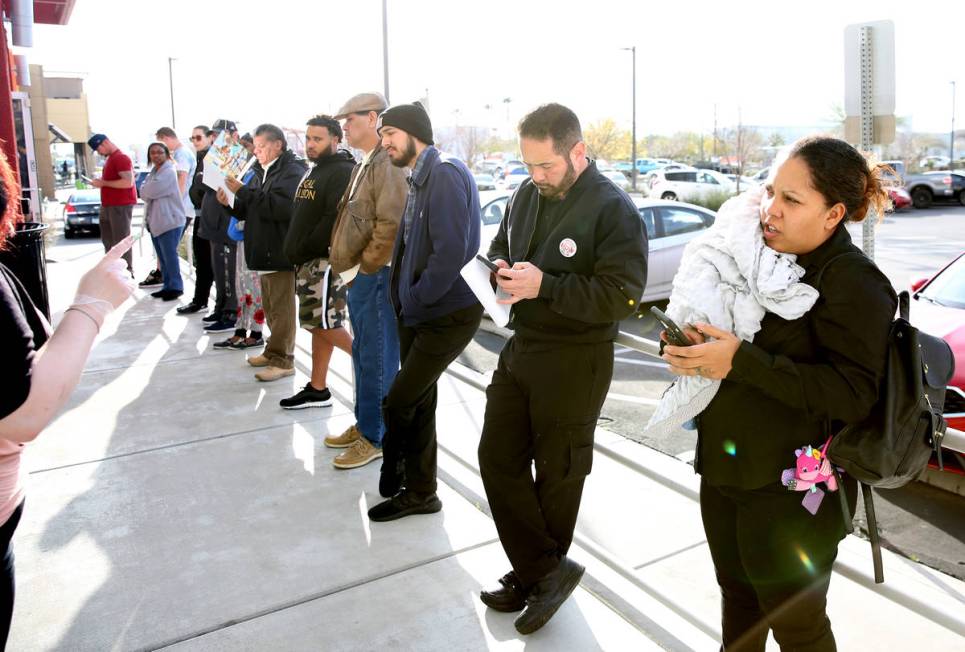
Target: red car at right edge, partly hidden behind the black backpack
x,y
938,308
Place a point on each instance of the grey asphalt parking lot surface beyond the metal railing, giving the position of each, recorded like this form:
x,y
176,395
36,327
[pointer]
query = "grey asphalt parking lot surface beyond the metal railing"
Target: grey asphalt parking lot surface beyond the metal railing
x,y
919,521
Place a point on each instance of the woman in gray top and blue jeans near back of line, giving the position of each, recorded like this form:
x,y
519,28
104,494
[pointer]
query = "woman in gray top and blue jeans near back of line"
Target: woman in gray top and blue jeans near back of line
x,y
164,214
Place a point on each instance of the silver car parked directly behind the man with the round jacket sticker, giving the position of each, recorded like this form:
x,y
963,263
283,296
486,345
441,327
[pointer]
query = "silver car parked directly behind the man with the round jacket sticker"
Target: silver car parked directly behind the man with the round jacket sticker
x,y
670,226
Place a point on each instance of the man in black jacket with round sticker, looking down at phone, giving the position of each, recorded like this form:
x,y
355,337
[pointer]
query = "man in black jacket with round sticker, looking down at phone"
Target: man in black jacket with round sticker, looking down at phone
x,y
572,253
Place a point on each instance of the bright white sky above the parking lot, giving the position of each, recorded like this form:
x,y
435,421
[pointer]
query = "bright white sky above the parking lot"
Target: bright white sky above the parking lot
x,y
773,63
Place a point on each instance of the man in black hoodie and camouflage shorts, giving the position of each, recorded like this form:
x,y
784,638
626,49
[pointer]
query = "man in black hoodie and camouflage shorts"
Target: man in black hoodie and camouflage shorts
x,y
321,293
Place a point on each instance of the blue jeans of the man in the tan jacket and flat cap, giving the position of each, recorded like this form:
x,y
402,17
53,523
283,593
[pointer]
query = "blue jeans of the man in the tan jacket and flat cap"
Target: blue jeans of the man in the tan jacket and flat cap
x,y
375,349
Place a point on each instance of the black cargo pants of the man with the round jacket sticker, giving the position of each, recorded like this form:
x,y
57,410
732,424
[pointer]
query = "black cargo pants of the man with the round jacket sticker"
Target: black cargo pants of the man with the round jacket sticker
x,y
542,408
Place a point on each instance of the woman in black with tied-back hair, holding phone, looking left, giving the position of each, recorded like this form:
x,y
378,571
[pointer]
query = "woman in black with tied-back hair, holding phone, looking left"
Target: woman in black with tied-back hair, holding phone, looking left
x,y
799,382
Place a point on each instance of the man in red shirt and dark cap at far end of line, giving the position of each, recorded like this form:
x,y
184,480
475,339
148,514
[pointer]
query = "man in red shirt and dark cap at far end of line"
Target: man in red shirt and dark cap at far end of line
x,y
118,194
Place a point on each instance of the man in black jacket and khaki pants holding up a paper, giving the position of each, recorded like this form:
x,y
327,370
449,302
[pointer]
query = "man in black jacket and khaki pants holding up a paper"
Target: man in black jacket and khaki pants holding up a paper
x,y
265,205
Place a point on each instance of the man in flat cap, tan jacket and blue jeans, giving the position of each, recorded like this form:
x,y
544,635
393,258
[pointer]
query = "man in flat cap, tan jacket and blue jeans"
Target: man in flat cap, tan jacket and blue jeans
x,y
362,238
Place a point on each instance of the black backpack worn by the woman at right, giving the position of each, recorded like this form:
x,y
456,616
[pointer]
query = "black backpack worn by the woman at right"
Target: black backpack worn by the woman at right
x,y
892,446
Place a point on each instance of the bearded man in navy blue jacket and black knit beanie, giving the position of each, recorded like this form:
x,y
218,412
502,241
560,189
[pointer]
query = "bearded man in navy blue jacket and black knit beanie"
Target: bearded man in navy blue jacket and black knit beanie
x,y
436,311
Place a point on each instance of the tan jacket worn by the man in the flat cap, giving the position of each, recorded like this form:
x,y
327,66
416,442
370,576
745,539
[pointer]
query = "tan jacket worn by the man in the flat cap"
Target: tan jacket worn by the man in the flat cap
x,y
368,219
